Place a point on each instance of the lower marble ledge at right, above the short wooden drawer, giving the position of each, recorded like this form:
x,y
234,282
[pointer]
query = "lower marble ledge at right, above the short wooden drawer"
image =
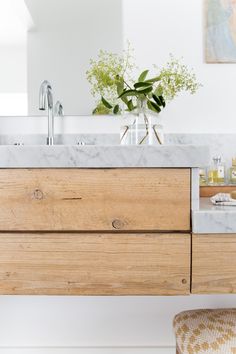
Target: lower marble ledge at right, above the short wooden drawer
x,y
213,219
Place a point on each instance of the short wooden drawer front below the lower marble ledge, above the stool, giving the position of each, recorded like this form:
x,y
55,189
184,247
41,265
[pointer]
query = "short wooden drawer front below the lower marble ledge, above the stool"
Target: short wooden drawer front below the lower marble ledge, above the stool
x,y
214,264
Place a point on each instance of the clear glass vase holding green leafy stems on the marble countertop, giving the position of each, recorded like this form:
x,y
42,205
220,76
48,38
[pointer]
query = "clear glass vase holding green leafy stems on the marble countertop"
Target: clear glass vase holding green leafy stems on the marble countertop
x,y
141,127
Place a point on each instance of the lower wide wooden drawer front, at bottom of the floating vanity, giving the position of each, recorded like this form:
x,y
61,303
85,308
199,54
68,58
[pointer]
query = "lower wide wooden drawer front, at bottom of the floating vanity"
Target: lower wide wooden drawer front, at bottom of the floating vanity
x,y
94,264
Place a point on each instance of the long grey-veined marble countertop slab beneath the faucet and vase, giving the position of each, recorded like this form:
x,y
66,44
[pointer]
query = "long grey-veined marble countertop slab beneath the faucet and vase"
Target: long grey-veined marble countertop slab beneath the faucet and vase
x,y
103,156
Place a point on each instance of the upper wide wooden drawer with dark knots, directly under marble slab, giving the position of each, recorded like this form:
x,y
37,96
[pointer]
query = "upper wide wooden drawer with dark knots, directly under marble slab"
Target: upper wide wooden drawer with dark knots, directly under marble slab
x,y
94,199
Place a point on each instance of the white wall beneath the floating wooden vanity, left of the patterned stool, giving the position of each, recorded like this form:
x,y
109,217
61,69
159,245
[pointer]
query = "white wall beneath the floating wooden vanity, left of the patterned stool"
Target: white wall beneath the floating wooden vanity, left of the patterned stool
x,y
88,324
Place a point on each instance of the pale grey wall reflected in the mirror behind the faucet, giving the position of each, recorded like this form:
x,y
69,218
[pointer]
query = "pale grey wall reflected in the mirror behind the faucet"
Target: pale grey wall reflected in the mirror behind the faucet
x,y
68,34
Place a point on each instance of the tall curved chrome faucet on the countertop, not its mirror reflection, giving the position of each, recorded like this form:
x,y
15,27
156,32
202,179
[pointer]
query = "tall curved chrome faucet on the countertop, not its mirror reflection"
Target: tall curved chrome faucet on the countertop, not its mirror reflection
x,y
46,101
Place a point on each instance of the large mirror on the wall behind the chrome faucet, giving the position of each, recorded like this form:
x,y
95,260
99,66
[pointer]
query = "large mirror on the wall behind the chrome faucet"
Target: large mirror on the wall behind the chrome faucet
x,y
53,40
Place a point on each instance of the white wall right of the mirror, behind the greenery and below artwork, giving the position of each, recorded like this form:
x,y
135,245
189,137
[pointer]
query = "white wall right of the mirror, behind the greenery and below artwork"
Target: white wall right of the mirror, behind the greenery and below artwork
x,y
159,27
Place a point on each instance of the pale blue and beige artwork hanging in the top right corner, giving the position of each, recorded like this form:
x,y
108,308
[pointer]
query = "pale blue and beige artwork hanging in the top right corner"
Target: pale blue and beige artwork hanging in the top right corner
x,y
220,31
